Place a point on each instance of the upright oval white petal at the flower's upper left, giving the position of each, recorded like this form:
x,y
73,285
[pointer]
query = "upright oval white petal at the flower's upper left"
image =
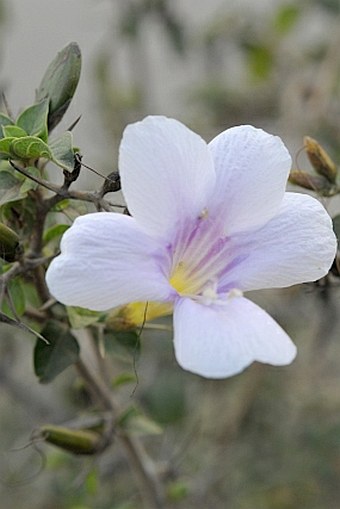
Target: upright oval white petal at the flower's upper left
x,y
167,173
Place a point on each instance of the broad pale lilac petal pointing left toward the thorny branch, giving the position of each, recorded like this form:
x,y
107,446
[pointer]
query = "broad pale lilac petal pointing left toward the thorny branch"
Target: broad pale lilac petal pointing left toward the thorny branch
x,y
107,261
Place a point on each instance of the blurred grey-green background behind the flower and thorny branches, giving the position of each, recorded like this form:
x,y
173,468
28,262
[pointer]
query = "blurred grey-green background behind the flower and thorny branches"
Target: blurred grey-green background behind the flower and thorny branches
x,y
270,437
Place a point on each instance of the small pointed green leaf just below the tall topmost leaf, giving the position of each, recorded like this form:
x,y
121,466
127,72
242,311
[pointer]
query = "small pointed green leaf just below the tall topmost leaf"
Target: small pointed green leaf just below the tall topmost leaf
x,y
34,120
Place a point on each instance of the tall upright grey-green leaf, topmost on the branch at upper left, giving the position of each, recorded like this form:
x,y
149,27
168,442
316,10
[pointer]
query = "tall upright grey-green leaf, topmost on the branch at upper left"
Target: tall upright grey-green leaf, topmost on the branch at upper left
x,y
60,82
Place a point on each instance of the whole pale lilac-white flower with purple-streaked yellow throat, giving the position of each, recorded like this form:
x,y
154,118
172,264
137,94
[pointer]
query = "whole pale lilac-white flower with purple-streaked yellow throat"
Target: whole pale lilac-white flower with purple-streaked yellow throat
x,y
209,222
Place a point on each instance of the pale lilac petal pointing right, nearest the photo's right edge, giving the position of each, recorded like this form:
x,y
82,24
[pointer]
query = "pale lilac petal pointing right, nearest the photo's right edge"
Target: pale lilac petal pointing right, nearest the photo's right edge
x,y
297,246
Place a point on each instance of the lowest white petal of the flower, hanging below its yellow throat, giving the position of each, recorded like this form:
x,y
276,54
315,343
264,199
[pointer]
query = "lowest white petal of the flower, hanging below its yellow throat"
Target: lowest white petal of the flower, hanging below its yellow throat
x,y
222,340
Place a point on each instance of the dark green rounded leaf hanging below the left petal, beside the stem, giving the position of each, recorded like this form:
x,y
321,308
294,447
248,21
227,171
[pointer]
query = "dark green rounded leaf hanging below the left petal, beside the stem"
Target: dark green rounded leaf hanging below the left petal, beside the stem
x,y
53,358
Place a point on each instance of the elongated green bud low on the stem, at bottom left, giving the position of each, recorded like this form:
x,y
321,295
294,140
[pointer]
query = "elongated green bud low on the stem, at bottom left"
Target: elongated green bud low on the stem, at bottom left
x,y
76,441
